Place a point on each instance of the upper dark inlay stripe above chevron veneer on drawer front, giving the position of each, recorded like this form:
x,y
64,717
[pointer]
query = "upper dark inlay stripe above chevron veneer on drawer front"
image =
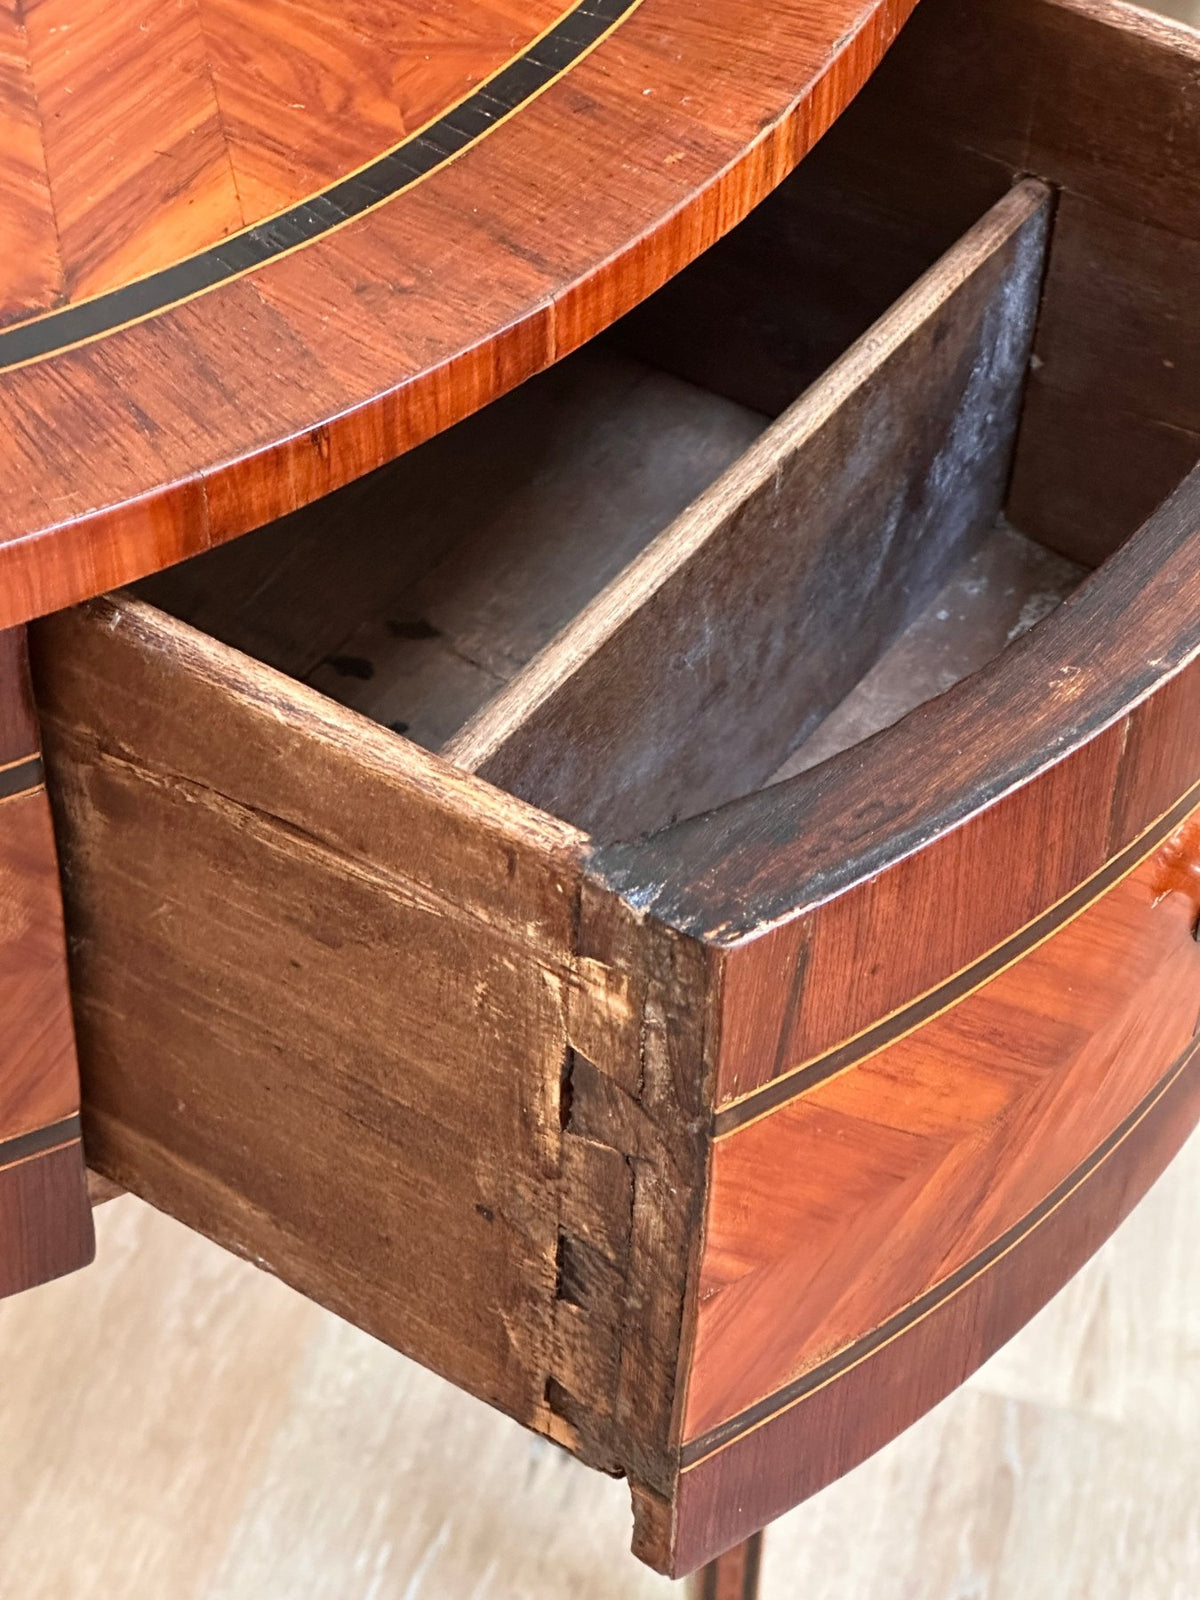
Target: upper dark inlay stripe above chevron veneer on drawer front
x,y
964,983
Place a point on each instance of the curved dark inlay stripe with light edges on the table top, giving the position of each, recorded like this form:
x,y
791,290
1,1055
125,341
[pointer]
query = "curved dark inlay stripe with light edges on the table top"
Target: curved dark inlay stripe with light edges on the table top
x,y
382,180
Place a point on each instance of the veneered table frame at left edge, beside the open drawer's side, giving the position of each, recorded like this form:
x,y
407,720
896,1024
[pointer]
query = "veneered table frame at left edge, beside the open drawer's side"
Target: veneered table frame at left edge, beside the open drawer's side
x,y
46,1220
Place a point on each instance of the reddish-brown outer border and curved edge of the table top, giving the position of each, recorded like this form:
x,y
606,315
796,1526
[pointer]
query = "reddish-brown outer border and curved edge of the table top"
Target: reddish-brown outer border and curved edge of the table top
x,y
279,386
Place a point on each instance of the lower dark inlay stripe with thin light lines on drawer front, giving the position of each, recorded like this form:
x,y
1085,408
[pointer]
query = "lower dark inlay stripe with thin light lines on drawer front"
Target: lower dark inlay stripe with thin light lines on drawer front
x,y
838,1366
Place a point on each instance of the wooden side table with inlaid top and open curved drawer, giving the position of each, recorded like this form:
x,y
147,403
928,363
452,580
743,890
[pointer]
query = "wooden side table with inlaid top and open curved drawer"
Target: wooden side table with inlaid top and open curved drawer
x,y
458,927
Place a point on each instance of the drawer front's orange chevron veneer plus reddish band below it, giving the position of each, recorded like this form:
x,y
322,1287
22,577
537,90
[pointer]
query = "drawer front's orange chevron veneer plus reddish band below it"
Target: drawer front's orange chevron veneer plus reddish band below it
x,y
858,1233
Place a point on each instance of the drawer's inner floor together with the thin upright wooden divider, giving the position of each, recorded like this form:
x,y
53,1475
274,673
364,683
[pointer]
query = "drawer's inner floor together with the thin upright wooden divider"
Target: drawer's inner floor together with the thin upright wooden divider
x,y
630,596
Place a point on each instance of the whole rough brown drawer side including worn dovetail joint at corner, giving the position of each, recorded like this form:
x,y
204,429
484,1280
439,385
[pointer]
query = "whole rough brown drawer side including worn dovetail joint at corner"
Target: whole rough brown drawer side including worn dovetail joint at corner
x,y
337,1012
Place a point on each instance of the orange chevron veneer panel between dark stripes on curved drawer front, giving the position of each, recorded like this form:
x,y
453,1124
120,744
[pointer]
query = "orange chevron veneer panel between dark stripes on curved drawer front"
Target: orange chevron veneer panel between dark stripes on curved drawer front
x,y
890,1177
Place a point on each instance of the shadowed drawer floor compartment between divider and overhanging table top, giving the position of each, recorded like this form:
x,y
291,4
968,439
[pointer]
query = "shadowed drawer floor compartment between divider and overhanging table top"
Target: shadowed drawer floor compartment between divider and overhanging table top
x,y
417,596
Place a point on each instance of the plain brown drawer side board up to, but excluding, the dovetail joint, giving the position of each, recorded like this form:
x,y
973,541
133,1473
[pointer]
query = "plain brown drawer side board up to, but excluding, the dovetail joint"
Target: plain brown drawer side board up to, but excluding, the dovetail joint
x,y
354,966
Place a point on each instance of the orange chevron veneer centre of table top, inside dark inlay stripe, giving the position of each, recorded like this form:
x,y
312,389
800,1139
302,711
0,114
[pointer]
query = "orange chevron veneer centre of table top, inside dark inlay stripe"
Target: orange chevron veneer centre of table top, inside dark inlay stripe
x,y
158,129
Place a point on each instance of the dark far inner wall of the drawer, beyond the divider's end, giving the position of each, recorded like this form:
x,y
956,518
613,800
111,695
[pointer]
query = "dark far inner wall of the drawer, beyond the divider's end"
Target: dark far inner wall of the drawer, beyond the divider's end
x,y
1100,100
